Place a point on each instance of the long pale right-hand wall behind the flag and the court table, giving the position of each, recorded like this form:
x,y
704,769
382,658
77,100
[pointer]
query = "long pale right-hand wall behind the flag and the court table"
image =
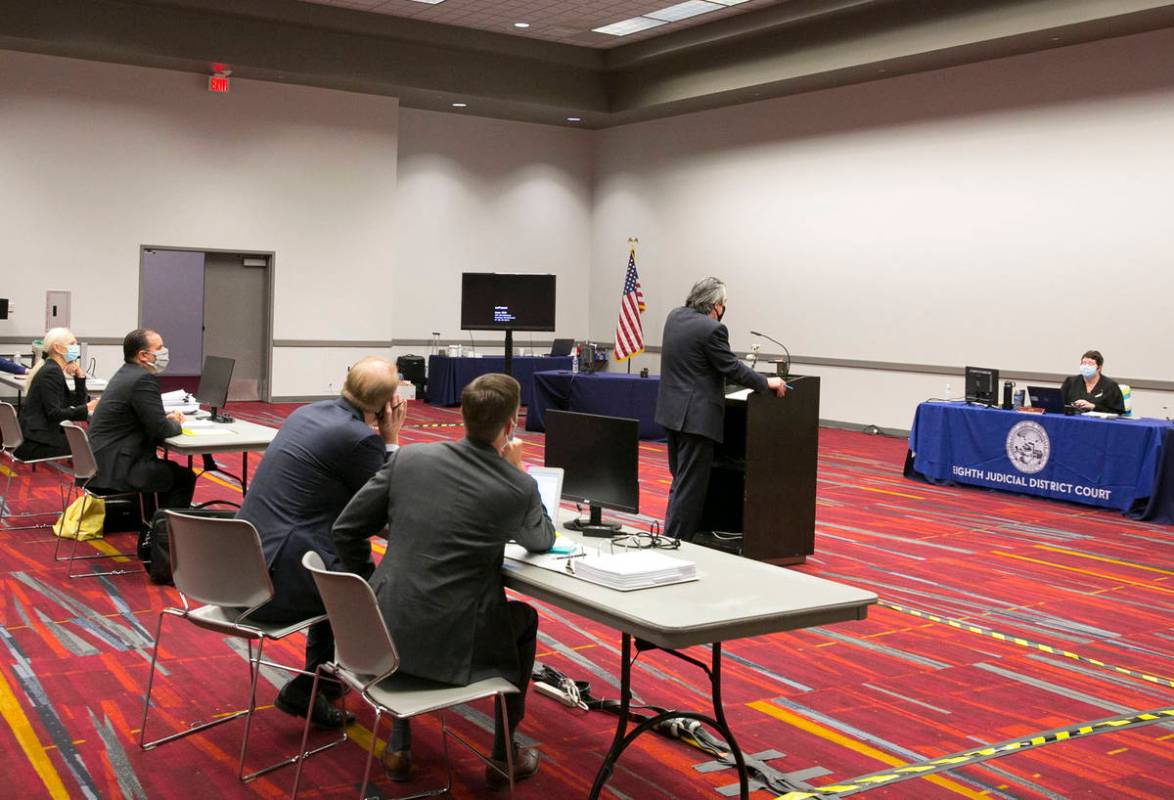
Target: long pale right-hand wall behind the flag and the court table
x,y
1007,214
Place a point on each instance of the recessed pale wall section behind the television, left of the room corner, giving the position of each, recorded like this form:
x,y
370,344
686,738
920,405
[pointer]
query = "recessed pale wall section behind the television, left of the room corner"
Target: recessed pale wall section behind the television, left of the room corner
x,y
480,196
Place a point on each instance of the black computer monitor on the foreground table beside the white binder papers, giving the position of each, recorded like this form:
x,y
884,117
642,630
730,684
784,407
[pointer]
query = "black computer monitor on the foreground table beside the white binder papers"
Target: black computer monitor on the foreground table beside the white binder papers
x,y
599,459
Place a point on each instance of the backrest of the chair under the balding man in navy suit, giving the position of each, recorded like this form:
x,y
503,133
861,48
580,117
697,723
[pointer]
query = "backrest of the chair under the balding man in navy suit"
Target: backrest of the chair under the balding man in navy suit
x,y
219,561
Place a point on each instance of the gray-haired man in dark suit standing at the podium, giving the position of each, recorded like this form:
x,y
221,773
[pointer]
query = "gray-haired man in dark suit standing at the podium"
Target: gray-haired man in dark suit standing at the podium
x,y
697,362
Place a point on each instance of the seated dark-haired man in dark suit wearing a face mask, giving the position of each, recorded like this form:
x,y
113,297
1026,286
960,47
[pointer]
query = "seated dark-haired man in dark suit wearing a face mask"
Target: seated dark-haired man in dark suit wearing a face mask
x,y
130,423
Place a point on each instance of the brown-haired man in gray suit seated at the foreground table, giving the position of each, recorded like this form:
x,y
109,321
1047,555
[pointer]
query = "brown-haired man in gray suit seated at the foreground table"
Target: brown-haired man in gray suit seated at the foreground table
x,y
453,508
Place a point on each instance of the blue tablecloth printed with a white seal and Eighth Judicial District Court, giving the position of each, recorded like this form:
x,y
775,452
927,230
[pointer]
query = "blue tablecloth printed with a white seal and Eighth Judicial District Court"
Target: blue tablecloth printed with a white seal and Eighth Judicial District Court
x,y
1111,463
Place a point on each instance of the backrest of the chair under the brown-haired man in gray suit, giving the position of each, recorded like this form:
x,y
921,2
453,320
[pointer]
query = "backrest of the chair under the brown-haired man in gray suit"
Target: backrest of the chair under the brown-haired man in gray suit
x,y
363,644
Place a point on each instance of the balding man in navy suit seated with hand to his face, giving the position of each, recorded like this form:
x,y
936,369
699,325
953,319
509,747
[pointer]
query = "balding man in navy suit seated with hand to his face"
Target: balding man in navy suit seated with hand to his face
x,y
323,454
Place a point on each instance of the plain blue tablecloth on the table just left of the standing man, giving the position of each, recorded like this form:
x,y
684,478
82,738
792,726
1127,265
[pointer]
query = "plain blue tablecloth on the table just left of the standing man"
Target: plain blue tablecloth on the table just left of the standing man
x,y
610,394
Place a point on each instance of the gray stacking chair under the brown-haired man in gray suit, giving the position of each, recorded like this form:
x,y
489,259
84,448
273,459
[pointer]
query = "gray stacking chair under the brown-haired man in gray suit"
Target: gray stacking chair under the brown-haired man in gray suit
x,y
366,660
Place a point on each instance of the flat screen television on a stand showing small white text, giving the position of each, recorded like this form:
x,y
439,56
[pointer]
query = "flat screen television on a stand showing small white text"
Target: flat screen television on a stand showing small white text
x,y
507,301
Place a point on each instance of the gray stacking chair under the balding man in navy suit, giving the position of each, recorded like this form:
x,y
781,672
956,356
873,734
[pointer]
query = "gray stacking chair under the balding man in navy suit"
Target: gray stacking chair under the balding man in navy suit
x,y
219,562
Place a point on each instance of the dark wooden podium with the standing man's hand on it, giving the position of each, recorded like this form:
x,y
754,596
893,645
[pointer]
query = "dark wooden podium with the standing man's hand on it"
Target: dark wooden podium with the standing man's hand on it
x,y
764,480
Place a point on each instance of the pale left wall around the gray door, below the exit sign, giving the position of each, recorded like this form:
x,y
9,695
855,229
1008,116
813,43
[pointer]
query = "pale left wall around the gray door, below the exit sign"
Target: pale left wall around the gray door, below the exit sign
x,y
98,160
